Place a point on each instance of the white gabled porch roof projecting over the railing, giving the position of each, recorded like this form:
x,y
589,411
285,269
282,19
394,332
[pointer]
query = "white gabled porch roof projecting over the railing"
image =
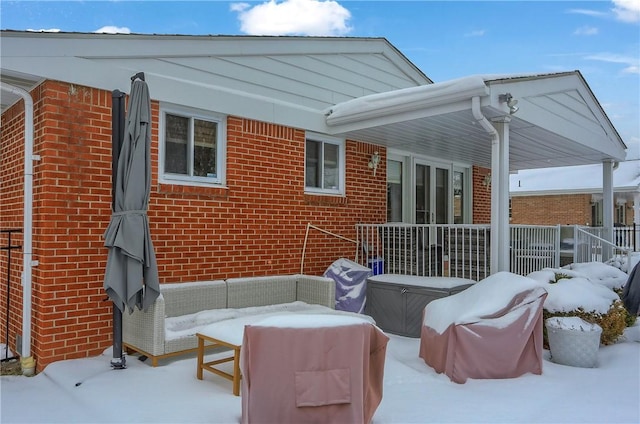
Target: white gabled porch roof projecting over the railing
x,y
559,121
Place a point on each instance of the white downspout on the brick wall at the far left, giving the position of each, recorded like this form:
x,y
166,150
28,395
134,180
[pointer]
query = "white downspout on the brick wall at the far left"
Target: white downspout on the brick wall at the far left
x,y
28,219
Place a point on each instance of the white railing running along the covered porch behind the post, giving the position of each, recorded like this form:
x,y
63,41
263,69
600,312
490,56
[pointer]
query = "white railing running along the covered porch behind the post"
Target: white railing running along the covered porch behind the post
x,y
463,251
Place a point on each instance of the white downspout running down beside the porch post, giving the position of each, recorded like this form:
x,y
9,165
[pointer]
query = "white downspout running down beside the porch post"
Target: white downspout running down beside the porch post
x,y
495,200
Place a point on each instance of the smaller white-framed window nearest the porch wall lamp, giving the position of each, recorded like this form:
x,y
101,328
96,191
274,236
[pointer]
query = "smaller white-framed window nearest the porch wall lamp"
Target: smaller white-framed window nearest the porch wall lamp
x,y
324,164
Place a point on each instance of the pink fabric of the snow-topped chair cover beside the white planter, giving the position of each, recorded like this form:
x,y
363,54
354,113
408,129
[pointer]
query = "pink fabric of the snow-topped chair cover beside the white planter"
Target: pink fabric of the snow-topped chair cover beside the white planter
x,y
486,349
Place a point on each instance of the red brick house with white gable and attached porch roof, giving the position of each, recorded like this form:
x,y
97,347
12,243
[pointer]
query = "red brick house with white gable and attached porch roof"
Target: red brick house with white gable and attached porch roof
x,y
254,138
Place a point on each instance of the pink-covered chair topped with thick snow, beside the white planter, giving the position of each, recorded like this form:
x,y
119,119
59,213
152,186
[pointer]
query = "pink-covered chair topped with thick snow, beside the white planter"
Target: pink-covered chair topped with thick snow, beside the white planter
x,y
493,329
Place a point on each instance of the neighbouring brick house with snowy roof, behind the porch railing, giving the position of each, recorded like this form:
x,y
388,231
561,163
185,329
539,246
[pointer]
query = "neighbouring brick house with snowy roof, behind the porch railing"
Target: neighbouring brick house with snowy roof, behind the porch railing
x,y
573,195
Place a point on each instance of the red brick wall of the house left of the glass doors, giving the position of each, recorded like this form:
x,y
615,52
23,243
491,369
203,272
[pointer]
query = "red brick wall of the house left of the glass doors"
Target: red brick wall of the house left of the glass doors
x,y
257,225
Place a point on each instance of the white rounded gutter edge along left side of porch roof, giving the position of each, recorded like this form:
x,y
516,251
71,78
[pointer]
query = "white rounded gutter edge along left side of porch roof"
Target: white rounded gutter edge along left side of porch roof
x,y
406,104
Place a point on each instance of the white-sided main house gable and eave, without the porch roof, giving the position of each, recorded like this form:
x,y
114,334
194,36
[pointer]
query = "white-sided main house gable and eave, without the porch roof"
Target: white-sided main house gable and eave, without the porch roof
x,y
283,80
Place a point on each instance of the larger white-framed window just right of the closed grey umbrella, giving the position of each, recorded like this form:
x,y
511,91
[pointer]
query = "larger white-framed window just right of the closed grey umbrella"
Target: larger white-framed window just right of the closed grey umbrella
x,y
192,147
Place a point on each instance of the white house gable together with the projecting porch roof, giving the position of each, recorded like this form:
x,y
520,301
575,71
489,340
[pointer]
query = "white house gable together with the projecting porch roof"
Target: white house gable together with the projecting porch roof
x,y
559,123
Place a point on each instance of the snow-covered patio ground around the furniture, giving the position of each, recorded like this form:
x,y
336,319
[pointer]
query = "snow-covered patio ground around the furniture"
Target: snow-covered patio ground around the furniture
x,y
413,392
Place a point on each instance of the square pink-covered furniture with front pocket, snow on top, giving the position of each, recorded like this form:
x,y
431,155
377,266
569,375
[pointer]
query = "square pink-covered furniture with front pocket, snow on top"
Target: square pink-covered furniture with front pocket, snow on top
x,y
312,368
